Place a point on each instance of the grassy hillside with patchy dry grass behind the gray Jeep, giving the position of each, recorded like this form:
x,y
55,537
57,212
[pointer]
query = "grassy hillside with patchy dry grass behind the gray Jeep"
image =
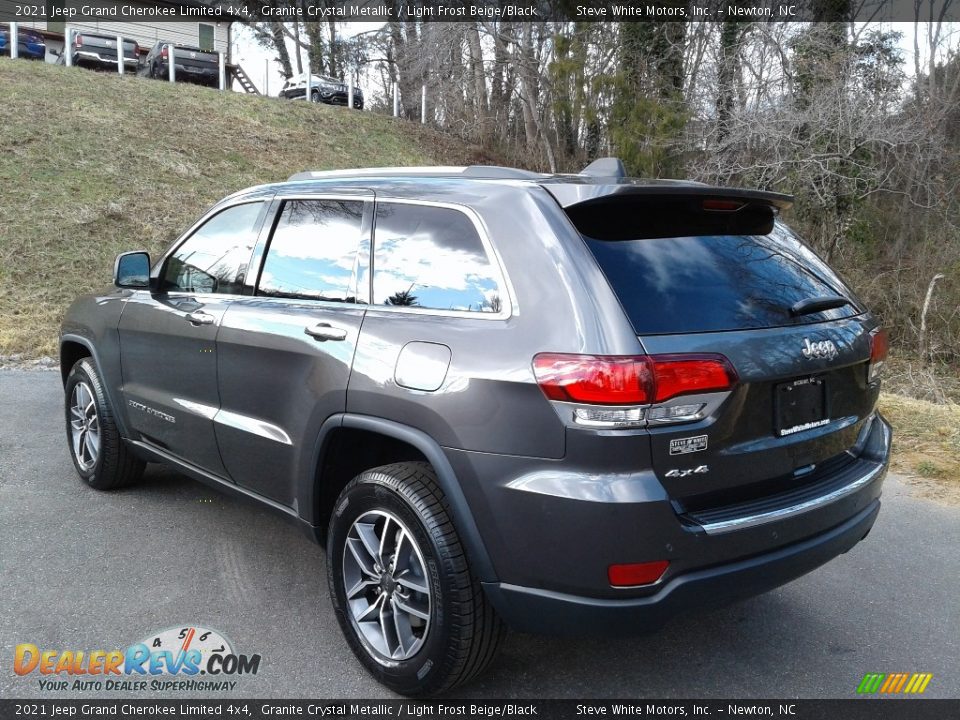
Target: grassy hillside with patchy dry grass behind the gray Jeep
x,y
92,164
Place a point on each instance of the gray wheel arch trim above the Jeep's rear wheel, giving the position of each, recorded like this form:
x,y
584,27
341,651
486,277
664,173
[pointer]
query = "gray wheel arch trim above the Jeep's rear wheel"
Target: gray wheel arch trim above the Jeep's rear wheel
x,y
428,450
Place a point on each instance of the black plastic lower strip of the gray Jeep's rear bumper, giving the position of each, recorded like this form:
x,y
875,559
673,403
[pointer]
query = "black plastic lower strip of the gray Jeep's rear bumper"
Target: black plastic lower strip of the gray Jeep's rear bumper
x,y
554,613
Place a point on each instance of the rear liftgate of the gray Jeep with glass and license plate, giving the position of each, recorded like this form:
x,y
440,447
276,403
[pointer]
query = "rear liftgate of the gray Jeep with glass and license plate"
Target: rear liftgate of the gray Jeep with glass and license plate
x,y
701,286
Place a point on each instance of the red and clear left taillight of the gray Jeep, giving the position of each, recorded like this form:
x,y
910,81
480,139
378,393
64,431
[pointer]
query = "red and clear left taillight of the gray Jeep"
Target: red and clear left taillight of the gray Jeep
x,y
631,380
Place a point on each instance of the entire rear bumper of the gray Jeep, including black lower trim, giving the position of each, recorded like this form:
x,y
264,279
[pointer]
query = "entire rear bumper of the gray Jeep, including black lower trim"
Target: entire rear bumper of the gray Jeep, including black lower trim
x,y
552,529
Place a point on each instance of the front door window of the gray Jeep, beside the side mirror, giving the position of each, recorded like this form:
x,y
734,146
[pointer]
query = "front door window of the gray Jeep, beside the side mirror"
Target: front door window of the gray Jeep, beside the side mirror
x,y
214,259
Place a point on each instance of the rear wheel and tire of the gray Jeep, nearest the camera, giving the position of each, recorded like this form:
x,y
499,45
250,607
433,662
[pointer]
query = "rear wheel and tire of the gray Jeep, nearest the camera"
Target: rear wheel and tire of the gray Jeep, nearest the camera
x,y
455,633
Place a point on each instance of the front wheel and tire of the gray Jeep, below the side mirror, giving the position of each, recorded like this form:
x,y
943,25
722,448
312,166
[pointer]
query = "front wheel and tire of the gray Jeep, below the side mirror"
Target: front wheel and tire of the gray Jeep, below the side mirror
x,y
102,458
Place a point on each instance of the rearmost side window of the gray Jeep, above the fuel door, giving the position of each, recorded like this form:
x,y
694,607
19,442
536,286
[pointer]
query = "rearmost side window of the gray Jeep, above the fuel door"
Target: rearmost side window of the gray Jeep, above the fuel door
x,y
432,257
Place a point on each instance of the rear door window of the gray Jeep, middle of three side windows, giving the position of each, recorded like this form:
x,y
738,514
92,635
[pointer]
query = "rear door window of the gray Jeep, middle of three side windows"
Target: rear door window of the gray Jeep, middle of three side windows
x,y
313,254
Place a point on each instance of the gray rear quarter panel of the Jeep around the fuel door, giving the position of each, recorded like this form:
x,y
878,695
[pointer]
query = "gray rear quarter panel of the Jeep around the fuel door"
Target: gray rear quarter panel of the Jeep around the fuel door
x,y
489,401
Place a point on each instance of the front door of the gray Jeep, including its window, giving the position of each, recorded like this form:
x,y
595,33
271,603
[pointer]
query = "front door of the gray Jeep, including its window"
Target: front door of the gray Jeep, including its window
x,y
168,336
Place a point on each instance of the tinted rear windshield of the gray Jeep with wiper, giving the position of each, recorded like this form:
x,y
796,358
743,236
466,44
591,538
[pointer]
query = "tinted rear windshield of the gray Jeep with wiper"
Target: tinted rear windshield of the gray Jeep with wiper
x,y
718,282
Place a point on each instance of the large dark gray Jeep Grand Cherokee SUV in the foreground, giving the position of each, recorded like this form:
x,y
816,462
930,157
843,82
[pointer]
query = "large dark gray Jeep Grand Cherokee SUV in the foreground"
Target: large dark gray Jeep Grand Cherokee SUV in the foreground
x,y
560,403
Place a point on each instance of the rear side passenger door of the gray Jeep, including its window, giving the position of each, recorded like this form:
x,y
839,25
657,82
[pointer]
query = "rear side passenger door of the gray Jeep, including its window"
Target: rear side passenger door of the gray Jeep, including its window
x,y
285,354
